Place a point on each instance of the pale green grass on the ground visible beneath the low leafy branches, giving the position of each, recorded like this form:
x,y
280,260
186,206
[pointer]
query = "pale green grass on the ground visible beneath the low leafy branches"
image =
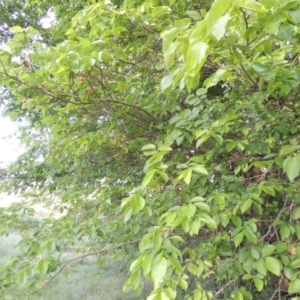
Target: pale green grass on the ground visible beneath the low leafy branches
x,y
85,281
